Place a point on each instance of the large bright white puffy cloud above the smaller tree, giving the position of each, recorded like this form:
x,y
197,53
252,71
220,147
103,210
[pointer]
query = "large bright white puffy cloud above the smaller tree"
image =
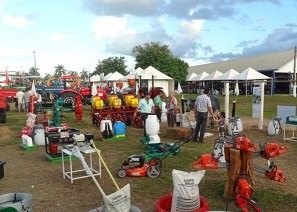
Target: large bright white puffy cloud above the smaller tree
x,y
111,27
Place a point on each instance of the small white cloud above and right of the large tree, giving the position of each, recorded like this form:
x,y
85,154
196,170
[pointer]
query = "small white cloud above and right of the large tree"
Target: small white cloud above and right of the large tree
x,y
191,29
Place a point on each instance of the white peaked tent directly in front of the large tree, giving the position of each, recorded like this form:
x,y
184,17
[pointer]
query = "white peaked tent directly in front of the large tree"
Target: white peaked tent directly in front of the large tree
x,y
151,74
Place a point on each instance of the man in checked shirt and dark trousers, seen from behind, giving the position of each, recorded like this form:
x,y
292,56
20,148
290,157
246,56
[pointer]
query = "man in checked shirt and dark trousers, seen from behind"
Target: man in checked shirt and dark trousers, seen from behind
x,y
202,107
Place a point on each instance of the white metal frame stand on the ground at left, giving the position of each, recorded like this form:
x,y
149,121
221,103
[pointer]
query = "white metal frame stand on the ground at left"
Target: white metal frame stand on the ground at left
x,y
70,174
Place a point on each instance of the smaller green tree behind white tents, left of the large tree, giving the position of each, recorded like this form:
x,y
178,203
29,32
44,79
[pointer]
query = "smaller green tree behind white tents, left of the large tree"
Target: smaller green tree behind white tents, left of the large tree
x,y
111,65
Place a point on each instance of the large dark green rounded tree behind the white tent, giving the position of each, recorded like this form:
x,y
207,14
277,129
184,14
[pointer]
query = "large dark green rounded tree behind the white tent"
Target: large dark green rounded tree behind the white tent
x,y
160,57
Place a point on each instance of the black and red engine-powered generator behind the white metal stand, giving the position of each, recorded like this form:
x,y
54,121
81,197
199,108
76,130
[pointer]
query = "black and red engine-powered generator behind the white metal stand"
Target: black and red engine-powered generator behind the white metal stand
x,y
56,139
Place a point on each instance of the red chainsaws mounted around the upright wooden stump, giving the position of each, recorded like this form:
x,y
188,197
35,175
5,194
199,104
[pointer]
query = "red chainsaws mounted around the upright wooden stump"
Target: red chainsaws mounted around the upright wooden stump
x,y
243,186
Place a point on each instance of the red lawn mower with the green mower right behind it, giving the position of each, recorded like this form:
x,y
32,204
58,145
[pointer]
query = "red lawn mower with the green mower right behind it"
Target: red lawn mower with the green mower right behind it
x,y
135,165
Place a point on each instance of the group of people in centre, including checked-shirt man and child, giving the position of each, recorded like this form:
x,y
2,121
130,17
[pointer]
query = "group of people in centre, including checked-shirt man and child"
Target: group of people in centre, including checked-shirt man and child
x,y
203,108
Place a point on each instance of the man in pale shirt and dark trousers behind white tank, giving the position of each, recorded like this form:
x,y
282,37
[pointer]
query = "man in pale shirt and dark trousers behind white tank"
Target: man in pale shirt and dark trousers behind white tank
x,y
145,107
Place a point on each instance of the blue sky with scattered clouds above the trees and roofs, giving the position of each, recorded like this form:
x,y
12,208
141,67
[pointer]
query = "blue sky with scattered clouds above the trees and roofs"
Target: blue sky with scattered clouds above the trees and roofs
x,y
78,33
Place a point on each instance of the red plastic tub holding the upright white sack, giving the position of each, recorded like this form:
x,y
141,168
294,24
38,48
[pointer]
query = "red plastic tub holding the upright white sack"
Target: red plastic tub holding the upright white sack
x,y
163,204
